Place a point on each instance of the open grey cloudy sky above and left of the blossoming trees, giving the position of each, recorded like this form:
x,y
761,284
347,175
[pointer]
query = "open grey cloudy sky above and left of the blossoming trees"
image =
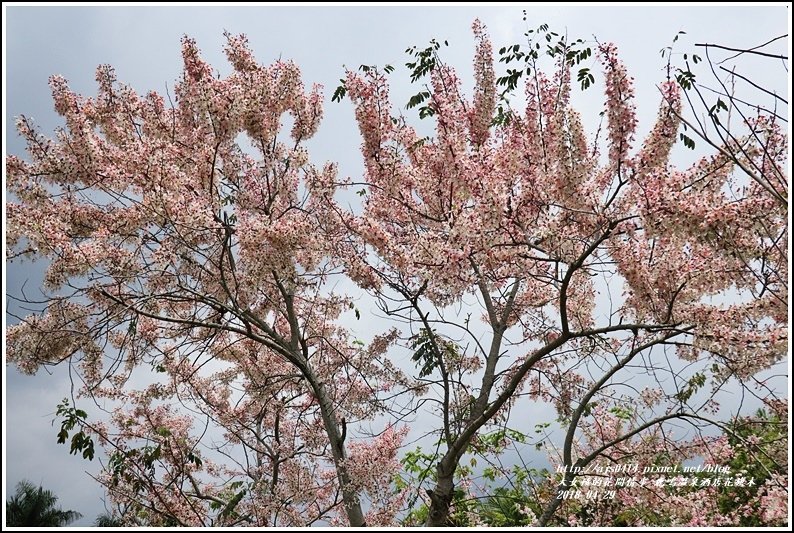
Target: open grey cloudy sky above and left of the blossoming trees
x,y
143,45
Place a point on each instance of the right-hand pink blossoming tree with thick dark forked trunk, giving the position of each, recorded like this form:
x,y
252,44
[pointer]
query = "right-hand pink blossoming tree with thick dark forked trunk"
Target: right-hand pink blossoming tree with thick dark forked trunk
x,y
524,219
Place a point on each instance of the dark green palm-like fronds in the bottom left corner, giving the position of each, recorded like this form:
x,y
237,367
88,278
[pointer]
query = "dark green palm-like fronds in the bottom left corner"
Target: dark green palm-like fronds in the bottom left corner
x,y
32,506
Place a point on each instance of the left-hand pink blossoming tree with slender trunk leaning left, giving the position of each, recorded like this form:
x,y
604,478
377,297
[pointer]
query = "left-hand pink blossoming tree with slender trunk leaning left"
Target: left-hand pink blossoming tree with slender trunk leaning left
x,y
173,249
